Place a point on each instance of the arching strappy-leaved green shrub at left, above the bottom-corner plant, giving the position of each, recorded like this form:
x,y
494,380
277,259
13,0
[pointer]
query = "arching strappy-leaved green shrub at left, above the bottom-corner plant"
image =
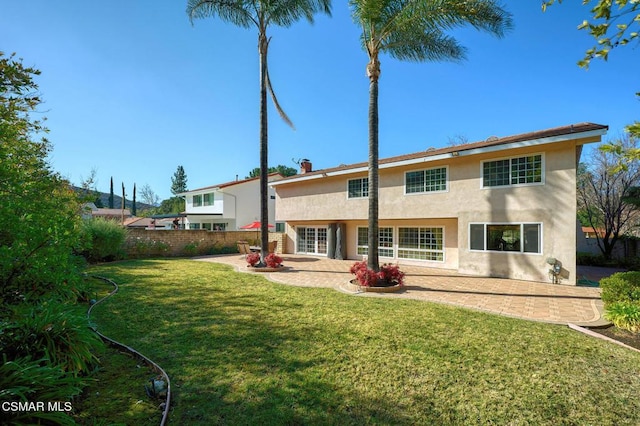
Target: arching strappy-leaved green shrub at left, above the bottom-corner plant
x,y
50,331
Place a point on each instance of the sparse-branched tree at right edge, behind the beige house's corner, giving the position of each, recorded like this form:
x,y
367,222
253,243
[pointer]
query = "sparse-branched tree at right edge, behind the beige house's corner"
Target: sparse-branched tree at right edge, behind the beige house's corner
x,y
604,192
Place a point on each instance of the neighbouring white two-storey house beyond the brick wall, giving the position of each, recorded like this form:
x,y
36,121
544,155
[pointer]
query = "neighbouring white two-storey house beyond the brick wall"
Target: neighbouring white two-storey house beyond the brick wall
x,y
227,206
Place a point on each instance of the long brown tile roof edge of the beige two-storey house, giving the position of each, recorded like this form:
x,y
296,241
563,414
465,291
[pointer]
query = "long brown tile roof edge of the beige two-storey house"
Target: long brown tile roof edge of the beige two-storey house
x,y
489,142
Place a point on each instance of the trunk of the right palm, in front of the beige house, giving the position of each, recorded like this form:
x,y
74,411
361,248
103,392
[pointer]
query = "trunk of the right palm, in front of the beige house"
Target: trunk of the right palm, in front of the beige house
x,y
373,71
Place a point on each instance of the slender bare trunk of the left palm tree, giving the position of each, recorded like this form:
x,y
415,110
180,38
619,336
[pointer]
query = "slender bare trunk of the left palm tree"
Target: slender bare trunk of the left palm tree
x,y
263,44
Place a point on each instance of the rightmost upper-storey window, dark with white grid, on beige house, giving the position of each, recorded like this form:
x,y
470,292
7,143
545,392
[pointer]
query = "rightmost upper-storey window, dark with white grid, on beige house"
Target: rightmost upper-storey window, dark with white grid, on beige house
x,y
512,171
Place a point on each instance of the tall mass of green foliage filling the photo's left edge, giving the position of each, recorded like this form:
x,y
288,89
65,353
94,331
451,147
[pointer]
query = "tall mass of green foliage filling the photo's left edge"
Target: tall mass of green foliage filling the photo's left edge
x,y
44,343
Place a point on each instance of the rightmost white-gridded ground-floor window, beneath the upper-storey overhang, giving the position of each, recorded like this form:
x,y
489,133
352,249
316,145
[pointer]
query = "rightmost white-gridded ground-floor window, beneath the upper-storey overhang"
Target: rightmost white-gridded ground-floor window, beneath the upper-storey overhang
x,y
421,243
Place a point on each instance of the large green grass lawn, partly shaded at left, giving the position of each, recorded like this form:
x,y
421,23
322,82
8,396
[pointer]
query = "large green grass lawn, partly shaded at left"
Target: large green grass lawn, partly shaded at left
x,y
242,350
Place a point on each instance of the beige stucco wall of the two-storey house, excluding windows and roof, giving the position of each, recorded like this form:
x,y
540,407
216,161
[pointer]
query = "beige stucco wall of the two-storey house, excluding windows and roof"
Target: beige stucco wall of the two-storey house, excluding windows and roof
x,y
320,201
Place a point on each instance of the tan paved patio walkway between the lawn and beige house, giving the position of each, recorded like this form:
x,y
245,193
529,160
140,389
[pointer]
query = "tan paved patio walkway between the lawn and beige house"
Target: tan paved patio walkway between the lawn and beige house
x,y
535,301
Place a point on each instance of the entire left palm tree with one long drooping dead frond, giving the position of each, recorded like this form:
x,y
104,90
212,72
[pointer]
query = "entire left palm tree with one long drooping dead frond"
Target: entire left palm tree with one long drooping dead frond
x,y
261,14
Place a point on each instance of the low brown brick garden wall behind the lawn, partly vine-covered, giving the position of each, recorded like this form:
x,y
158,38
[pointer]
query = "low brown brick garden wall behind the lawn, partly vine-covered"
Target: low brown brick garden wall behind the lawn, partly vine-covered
x,y
160,242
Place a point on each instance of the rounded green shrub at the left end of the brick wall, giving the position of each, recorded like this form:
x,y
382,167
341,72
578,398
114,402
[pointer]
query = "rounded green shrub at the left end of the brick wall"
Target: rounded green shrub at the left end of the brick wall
x,y
103,240
